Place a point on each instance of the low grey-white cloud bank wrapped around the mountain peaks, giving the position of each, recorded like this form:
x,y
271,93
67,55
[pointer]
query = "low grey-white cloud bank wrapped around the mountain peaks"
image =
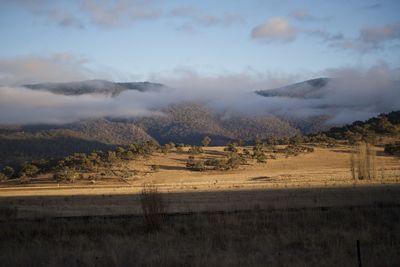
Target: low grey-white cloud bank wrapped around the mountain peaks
x,y
353,93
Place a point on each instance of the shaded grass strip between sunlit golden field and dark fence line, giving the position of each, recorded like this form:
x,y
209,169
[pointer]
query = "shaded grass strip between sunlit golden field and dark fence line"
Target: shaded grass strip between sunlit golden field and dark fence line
x,y
114,204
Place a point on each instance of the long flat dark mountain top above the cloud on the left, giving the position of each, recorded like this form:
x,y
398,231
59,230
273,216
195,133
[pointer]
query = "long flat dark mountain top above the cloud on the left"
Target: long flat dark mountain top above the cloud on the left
x,y
95,87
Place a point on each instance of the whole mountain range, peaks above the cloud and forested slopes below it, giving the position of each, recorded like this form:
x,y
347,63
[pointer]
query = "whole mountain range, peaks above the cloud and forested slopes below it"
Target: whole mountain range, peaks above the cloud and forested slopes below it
x,y
182,122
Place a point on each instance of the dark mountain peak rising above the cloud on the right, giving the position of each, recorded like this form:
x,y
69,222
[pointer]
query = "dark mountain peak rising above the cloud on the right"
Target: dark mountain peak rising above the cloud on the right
x,y
306,90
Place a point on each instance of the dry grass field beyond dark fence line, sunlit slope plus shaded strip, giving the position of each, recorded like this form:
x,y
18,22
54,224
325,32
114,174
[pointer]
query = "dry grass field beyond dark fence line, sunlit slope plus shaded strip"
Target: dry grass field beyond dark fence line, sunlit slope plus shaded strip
x,y
285,181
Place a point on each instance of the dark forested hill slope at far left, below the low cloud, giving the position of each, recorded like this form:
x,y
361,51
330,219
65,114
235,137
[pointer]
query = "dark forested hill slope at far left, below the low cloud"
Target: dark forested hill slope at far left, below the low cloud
x,y
35,142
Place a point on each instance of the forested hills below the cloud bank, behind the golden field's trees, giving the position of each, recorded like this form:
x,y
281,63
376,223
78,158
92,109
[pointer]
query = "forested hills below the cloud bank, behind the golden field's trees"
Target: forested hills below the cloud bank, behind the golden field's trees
x,y
180,123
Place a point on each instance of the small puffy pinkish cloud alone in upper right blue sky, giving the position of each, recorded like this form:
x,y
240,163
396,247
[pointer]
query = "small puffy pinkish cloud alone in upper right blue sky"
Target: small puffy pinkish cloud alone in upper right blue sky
x,y
275,29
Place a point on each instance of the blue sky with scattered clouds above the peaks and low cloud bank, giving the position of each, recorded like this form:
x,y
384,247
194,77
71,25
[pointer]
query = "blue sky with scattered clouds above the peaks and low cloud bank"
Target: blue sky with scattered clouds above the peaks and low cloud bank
x,y
136,40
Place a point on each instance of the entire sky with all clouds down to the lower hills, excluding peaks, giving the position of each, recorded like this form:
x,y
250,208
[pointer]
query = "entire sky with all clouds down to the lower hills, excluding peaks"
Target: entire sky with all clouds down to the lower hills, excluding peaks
x,y
213,51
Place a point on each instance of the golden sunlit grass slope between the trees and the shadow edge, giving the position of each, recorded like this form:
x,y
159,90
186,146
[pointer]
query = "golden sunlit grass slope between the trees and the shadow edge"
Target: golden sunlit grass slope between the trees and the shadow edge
x,y
324,167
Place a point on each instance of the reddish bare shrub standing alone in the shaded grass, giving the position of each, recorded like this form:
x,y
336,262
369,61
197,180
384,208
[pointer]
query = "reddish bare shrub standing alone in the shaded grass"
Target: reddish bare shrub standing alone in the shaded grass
x,y
154,208
